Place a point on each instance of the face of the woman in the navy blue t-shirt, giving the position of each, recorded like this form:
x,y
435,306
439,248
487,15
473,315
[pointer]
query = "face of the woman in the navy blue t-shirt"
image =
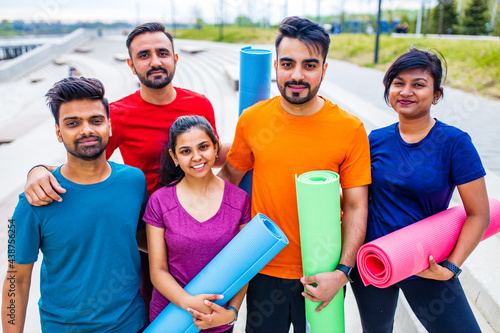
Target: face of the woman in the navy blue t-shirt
x,y
411,93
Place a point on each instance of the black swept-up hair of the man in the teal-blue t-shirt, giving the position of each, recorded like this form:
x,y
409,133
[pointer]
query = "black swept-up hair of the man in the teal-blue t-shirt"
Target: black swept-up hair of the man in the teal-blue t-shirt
x,y
73,89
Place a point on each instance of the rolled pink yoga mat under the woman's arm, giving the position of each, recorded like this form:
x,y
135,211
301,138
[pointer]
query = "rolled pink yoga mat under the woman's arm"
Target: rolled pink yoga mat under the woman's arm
x,y
405,252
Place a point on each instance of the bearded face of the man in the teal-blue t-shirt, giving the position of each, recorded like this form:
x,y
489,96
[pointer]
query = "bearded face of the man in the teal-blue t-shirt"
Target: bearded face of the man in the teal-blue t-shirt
x,y
83,128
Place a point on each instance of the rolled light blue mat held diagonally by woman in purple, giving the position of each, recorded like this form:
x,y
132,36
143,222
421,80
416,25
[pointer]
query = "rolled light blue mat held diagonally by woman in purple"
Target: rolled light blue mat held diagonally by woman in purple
x,y
238,262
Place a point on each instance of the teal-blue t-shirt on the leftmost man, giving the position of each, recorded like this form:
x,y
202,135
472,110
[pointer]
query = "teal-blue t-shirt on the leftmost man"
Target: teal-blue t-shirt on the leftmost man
x,y
90,273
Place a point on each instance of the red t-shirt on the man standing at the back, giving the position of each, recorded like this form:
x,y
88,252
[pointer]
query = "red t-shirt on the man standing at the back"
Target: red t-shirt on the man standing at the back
x,y
140,129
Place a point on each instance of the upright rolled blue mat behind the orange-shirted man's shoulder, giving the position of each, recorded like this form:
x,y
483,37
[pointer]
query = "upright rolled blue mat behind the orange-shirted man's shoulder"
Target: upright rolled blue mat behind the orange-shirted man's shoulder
x,y
255,86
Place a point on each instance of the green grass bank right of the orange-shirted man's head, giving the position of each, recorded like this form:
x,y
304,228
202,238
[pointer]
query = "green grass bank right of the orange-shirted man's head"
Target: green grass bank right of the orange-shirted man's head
x,y
473,66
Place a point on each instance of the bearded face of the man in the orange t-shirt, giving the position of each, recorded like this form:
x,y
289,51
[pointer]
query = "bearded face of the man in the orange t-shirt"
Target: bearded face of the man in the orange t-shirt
x,y
299,71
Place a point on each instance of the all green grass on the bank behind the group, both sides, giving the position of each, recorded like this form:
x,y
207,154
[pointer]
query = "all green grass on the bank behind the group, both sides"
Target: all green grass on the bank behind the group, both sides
x,y
473,66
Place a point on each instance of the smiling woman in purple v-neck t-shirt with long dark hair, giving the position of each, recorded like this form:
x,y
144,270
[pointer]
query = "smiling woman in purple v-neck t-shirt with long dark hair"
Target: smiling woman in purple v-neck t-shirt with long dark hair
x,y
189,221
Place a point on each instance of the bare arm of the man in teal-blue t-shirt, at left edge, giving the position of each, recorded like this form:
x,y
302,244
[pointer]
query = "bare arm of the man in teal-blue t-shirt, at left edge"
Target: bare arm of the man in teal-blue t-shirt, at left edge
x,y
16,287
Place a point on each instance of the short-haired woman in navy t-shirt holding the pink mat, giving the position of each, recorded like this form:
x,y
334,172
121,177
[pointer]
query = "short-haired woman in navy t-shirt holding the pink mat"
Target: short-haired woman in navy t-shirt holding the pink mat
x,y
416,165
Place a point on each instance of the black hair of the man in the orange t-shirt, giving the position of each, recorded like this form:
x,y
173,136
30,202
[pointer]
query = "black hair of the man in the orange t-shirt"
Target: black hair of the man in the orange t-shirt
x,y
310,33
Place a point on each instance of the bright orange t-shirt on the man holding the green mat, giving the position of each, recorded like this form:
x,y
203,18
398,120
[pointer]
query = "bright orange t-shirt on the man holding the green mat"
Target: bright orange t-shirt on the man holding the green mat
x,y
278,146
